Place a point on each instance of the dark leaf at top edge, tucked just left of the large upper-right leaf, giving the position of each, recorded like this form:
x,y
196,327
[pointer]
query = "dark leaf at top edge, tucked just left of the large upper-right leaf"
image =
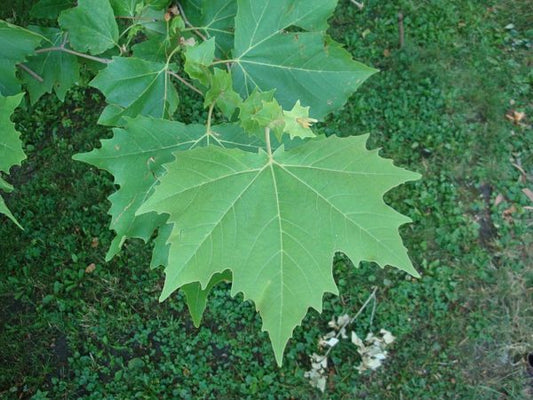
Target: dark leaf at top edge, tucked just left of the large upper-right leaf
x,y
213,18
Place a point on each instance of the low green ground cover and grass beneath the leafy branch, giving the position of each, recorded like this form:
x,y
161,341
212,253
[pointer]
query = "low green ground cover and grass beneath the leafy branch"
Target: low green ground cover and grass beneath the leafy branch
x,y
75,326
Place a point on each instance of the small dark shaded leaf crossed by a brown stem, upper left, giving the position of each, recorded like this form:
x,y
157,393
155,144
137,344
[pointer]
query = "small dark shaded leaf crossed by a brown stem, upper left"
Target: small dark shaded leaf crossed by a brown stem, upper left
x,y
59,70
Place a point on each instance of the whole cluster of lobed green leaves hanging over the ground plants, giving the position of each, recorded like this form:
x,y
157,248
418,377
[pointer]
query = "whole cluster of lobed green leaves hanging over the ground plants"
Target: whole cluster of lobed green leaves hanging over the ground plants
x,y
256,192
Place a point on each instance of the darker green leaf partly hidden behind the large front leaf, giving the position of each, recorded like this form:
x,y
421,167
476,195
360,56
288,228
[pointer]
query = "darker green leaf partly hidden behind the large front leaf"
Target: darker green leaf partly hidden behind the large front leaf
x,y
134,157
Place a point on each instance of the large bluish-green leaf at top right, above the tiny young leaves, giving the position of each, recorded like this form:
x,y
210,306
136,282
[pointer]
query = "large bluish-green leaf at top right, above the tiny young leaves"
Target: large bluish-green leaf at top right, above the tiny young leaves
x,y
305,66
